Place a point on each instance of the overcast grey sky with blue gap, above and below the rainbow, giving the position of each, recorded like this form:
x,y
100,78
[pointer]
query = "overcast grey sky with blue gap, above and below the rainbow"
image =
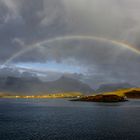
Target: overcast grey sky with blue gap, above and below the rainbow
x,y
26,23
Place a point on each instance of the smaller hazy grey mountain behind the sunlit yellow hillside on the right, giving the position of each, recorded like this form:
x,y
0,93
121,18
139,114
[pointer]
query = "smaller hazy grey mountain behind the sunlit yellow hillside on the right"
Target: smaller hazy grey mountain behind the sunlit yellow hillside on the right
x,y
113,87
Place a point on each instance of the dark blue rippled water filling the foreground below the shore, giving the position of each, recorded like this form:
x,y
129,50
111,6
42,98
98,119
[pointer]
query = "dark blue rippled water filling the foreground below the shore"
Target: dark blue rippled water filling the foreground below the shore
x,y
43,119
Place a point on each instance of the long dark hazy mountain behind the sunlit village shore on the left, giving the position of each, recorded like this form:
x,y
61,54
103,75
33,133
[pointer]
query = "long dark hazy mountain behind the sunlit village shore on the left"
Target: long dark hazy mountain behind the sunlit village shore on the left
x,y
33,85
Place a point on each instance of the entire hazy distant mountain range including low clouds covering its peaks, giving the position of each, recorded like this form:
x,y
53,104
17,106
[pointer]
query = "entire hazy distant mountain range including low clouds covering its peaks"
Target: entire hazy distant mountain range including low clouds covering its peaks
x,y
24,81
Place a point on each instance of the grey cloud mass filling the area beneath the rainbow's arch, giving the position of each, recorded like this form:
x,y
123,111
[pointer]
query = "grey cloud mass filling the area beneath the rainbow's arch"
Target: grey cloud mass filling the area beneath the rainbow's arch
x,y
102,61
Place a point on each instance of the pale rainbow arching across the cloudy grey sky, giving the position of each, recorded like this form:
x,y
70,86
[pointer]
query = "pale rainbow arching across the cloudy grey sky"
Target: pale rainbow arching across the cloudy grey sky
x,y
77,37
